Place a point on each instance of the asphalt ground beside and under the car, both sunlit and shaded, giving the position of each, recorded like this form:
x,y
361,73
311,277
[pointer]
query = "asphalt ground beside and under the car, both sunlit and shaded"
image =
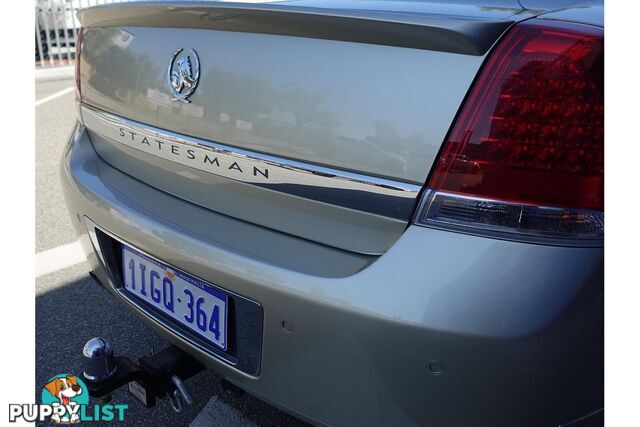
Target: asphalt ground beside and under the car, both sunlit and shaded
x,y
71,308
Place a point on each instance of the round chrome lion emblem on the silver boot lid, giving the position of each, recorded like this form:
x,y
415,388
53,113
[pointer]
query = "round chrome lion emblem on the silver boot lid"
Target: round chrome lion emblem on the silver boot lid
x,y
183,74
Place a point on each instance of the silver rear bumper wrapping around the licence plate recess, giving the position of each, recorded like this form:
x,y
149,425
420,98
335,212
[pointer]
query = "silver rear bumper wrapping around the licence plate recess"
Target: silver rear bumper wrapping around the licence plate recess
x,y
443,329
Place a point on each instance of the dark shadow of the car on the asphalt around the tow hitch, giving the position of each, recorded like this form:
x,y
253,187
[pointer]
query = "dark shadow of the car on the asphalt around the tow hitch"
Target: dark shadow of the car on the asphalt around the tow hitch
x,y
68,315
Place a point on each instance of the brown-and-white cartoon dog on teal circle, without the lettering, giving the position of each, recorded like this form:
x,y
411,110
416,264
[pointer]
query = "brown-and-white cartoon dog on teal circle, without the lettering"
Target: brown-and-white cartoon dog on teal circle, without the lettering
x,y
67,392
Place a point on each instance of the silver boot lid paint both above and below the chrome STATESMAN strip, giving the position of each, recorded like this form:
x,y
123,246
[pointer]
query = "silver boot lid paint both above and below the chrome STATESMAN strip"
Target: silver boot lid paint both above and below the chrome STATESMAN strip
x,y
322,101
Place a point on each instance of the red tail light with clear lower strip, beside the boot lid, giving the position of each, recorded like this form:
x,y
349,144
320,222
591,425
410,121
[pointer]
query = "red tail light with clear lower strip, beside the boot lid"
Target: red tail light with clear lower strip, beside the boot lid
x,y
525,158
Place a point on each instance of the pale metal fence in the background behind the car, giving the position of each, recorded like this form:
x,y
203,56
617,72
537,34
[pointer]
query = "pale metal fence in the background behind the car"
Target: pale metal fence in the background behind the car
x,y
57,29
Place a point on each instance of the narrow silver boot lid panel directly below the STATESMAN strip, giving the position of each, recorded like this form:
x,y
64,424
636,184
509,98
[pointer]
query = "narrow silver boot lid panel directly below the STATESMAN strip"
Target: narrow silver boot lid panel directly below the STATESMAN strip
x,y
334,225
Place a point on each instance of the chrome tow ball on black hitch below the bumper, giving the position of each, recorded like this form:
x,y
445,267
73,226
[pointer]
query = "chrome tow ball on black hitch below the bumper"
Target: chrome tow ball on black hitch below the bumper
x,y
153,377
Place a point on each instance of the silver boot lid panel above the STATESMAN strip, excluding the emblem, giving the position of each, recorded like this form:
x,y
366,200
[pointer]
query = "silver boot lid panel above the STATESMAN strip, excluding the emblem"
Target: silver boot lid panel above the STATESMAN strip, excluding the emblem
x,y
373,109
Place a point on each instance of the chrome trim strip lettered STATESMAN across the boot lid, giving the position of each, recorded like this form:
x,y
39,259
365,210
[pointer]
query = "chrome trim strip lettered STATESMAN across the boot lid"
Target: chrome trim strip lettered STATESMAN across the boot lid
x,y
379,196
